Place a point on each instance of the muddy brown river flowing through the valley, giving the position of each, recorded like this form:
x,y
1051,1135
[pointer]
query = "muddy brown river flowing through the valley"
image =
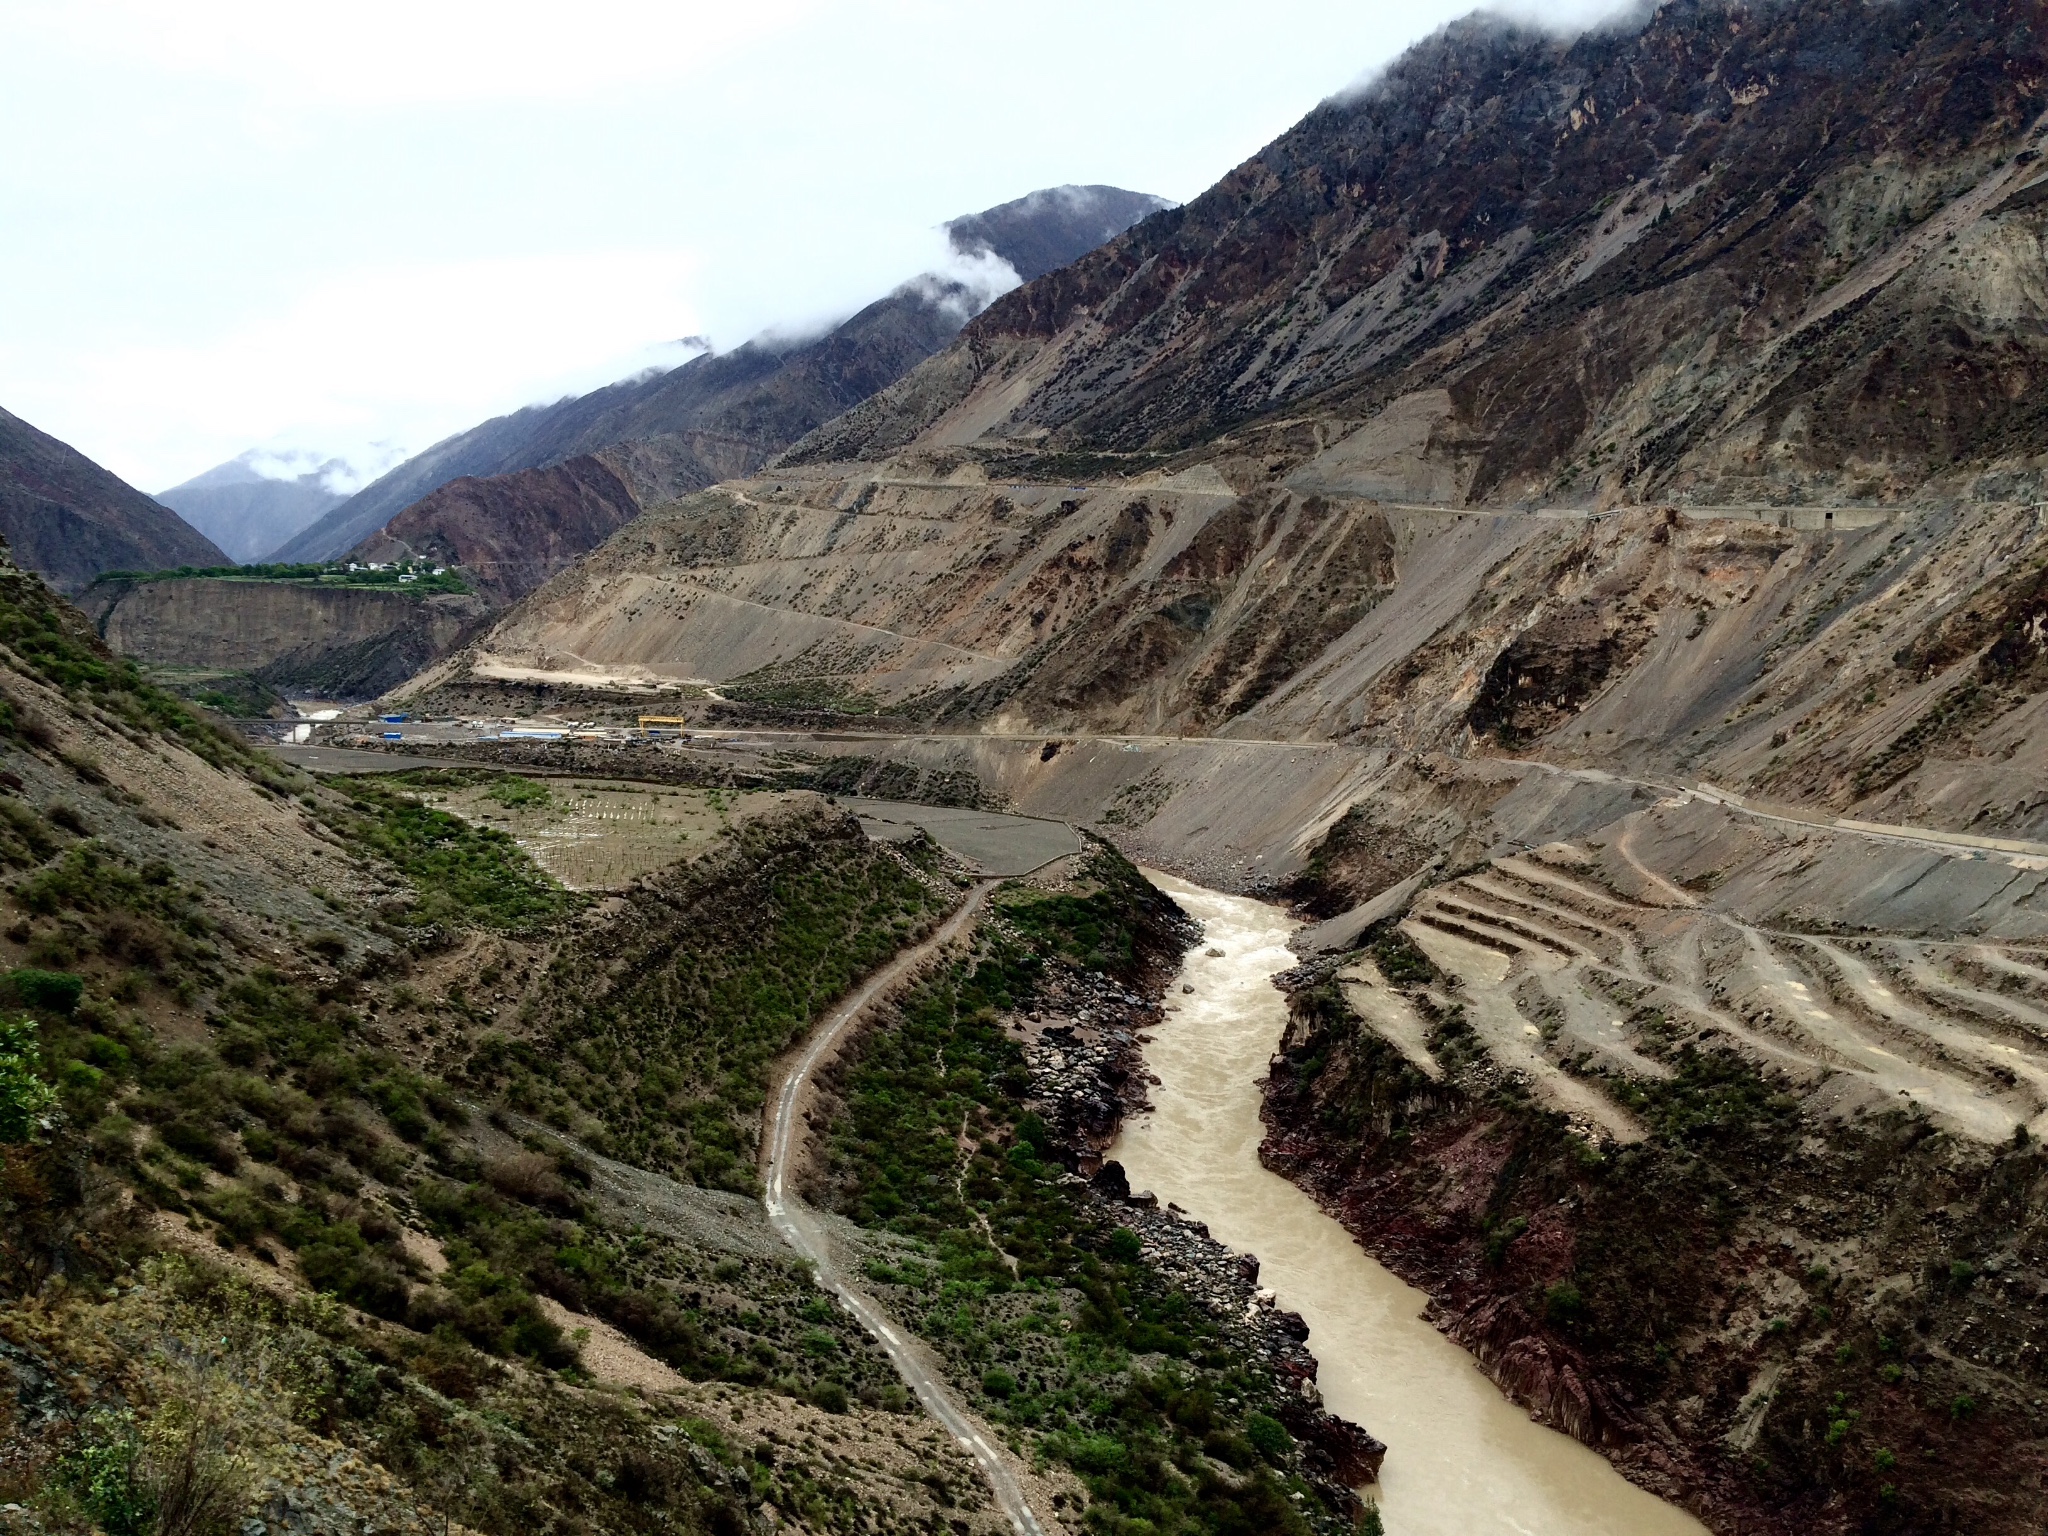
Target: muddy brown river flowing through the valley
x,y
1461,1459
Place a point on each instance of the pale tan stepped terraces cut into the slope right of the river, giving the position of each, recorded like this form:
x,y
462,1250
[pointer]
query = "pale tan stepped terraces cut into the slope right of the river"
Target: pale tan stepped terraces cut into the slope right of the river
x,y
1555,959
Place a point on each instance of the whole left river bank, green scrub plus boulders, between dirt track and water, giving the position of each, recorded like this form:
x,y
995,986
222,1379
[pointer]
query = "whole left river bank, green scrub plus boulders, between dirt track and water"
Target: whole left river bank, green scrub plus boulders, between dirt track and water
x,y
1029,1287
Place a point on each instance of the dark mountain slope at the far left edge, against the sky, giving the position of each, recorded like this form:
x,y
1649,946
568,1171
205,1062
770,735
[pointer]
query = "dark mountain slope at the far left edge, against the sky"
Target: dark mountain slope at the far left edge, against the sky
x,y
69,519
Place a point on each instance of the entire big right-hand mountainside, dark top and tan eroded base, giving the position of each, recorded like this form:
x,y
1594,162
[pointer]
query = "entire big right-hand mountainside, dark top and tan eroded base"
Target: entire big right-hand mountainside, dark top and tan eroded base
x,y
1322,574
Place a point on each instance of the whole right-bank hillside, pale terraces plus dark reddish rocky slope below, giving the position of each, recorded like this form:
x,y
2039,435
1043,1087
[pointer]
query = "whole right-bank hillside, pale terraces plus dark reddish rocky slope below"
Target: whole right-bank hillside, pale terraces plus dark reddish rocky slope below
x,y
1719,1175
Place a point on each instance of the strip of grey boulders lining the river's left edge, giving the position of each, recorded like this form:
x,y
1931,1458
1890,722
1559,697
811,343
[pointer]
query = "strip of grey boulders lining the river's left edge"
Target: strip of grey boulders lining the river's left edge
x,y
1084,1050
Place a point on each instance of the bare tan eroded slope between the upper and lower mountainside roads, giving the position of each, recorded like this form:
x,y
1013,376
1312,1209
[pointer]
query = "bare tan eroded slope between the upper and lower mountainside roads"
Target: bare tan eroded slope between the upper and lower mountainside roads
x,y
1881,665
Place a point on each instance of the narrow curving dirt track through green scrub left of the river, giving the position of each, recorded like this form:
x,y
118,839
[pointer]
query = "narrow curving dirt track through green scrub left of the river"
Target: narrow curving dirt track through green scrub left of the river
x,y
802,1230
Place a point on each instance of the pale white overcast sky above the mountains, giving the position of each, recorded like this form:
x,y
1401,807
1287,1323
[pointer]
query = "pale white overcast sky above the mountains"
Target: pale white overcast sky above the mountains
x,y
243,224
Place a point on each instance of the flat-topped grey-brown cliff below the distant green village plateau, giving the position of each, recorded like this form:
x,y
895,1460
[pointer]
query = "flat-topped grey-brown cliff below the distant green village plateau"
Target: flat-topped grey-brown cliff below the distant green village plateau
x,y
339,644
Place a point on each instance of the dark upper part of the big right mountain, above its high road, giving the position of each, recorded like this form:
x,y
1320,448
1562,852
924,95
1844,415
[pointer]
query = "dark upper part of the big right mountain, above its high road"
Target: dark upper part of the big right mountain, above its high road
x,y
1732,255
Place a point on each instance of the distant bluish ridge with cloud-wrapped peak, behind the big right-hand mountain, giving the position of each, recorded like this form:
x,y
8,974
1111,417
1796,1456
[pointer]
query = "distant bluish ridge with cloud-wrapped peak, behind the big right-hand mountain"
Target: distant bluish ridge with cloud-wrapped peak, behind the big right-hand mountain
x,y
722,415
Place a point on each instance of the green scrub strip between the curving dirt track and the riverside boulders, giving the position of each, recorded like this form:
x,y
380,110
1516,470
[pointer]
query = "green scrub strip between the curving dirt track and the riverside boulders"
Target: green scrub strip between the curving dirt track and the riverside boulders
x,y
1080,1351
